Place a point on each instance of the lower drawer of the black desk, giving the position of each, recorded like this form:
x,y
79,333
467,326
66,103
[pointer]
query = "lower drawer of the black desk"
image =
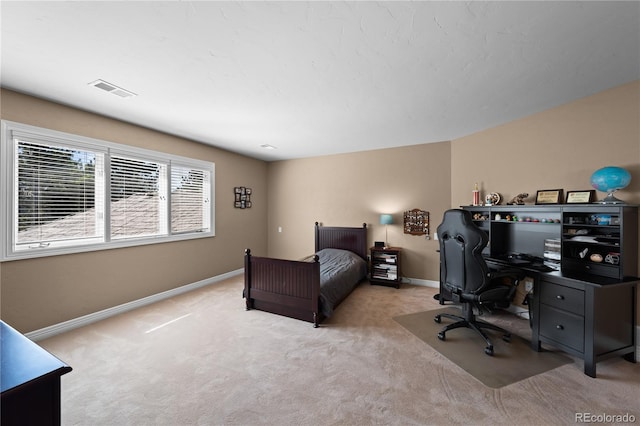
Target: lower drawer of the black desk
x,y
562,327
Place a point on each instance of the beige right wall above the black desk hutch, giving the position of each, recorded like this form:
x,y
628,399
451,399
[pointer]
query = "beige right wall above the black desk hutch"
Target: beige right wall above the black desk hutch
x,y
557,148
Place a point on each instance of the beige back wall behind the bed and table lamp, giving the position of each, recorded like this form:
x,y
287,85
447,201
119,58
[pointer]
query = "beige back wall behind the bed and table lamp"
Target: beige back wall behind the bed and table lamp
x,y
351,189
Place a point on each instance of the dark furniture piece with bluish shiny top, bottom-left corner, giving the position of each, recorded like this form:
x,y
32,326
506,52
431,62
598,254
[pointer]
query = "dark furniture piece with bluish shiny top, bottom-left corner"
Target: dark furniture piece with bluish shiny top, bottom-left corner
x,y
30,381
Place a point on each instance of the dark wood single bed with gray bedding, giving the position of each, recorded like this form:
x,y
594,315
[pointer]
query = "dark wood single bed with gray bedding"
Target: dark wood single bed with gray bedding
x,y
311,288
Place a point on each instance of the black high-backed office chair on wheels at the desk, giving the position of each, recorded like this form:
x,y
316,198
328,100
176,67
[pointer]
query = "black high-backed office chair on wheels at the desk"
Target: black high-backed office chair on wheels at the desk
x,y
467,279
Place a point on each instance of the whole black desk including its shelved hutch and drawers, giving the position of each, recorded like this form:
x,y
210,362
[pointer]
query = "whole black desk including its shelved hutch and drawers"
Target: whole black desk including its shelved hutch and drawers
x,y
588,307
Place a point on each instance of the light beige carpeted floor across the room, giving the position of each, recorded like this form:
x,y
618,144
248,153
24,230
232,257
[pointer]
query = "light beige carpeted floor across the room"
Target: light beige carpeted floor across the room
x,y
201,359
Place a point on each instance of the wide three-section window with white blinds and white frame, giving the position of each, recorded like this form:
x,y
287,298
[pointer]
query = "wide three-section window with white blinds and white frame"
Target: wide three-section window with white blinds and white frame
x,y
63,193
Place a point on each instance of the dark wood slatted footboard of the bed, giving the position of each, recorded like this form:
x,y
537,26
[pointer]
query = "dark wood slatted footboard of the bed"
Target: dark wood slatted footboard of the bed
x,y
284,287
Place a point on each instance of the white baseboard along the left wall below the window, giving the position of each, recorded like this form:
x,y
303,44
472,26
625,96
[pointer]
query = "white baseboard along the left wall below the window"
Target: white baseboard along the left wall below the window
x,y
65,326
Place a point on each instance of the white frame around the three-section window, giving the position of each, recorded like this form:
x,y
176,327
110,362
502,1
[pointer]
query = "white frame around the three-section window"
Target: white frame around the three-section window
x,y
8,188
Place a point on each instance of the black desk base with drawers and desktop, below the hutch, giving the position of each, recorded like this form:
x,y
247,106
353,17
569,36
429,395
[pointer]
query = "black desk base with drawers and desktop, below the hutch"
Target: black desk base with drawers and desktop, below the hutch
x,y
586,315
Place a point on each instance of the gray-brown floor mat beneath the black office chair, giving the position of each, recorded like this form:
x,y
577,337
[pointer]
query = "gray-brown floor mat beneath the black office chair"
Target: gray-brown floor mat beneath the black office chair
x,y
510,363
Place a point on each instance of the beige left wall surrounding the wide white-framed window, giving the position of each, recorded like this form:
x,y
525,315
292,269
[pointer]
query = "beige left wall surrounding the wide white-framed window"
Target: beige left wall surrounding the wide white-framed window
x,y
41,292
